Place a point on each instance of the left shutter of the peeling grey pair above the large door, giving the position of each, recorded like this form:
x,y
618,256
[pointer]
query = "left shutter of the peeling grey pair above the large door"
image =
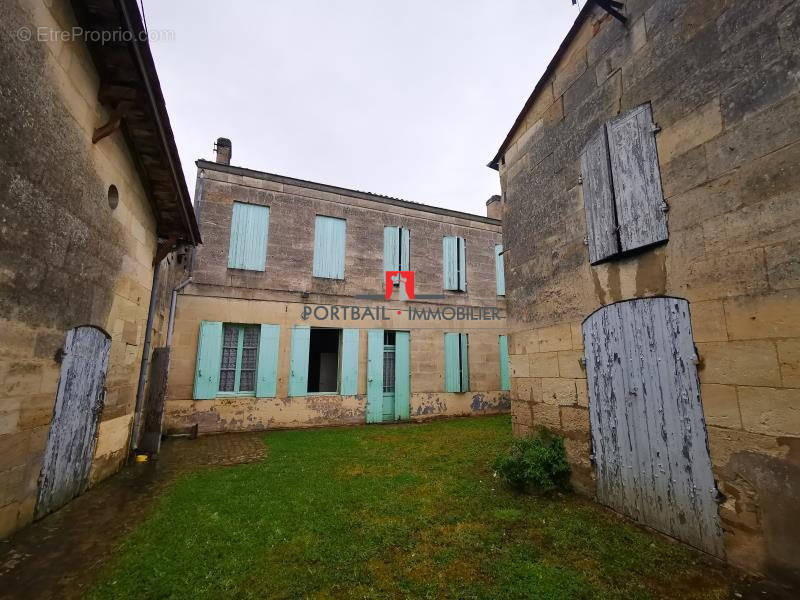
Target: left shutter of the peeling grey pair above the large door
x,y
598,198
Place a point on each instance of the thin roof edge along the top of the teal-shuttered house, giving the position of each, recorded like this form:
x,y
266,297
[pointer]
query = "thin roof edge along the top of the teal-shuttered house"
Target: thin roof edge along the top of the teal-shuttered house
x,y
323,187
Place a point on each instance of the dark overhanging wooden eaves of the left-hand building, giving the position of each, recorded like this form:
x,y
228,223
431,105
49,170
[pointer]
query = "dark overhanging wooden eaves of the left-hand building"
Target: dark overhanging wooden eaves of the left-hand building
x,y
129,86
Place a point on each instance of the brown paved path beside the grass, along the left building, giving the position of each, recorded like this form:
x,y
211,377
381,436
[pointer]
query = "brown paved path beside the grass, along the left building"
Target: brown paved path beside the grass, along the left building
x,y
60,555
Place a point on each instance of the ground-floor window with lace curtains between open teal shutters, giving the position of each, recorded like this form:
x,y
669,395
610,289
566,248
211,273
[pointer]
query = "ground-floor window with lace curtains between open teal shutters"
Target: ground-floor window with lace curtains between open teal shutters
x,y
239,358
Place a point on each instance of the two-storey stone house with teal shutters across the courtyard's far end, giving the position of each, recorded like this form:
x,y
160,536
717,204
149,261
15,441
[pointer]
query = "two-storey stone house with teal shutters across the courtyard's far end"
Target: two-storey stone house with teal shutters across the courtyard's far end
x,y
291,319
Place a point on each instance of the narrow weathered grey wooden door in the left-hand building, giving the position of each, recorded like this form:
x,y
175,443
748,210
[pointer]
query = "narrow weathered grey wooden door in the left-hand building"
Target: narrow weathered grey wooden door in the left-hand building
x,y
73,430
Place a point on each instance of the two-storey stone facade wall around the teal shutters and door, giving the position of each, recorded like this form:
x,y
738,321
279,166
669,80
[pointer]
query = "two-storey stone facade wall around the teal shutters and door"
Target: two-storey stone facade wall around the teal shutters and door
x,y
279,294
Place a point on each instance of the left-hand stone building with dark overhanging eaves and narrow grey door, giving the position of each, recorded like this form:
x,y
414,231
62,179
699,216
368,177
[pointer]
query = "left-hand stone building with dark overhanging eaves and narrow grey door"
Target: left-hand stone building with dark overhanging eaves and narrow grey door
x,y
92,196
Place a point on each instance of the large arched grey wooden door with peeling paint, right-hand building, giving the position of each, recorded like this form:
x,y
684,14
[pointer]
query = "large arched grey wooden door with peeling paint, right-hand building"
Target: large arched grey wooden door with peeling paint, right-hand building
x,y
648,431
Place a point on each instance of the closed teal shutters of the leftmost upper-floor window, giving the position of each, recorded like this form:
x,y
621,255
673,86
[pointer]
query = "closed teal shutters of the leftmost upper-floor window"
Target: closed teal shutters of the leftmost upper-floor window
x,y
249,230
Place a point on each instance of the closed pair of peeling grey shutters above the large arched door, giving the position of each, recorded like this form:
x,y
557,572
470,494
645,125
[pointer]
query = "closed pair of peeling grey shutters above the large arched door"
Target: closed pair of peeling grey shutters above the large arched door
x,y
624,203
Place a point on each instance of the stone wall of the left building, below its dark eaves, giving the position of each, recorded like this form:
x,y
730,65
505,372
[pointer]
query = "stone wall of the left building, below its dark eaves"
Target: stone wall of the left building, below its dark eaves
x,y
66,258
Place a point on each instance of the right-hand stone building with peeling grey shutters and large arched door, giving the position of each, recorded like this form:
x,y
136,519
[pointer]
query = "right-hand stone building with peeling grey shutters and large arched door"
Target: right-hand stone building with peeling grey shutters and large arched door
x,y
650,207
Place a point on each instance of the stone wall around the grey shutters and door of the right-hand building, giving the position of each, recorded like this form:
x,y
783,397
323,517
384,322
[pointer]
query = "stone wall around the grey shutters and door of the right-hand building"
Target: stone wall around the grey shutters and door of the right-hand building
x,y
723,78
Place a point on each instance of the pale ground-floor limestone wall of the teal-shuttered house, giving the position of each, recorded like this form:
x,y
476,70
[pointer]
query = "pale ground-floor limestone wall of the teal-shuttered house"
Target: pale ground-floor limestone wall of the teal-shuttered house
x,y
428,398
